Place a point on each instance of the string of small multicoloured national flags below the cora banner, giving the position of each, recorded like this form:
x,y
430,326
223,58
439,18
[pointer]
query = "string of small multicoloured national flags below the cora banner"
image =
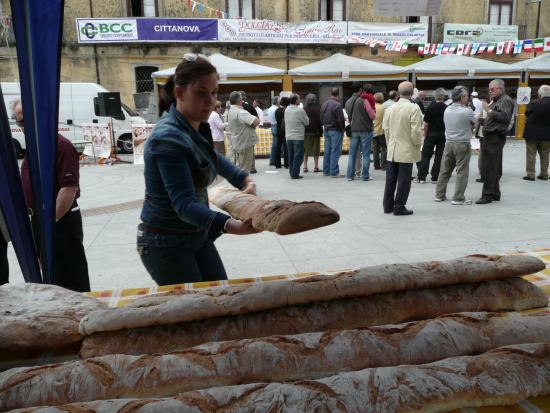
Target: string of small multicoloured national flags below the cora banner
x,y
508,47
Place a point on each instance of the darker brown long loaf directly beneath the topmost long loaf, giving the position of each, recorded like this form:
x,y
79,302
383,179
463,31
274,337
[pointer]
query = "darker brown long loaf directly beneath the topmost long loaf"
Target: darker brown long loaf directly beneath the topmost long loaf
x,y
387,308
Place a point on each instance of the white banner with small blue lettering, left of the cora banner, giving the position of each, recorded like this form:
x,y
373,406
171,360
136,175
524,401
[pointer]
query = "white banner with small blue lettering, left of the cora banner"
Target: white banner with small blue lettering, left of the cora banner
x,y
409,32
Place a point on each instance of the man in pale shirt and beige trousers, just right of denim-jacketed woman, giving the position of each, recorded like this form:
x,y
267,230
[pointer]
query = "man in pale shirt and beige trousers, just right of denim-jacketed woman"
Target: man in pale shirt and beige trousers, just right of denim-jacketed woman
x,y
242,126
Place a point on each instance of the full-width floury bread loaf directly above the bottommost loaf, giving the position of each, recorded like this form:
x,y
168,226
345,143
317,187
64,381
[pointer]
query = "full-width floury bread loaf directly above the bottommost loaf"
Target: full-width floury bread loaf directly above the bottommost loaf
x,y
275,358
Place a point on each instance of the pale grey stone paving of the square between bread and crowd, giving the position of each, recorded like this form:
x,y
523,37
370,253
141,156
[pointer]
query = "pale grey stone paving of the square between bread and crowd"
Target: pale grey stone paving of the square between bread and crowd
x,y
111,200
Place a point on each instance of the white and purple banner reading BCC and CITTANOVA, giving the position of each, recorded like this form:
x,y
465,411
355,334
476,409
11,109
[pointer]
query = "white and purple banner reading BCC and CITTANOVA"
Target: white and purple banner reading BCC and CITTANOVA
x,y
146,30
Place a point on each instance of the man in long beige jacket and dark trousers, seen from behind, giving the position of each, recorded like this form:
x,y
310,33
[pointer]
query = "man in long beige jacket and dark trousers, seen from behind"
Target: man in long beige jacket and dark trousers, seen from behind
x,y
402,126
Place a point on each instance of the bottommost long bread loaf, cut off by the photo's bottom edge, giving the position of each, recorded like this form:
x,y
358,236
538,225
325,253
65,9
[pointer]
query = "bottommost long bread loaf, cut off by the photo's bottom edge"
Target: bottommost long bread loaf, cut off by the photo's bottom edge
x,y
499,377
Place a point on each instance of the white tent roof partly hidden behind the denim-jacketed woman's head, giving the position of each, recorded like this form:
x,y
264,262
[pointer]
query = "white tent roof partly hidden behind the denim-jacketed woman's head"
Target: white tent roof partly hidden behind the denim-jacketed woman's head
x,y
229,67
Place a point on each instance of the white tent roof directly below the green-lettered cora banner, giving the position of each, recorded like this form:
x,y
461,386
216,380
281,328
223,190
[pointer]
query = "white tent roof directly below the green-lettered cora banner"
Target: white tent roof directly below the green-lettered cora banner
x,y
451,66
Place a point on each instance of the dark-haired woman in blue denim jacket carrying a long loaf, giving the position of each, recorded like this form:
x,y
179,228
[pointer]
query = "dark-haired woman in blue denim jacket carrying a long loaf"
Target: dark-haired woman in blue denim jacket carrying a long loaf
x,y
176,237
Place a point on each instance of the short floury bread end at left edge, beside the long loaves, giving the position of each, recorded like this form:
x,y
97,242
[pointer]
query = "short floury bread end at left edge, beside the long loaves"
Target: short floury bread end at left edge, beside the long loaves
x,y
41,316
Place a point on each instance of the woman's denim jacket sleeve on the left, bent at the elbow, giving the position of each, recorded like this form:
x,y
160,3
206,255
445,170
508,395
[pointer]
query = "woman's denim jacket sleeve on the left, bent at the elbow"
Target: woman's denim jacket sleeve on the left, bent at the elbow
x,y
178,182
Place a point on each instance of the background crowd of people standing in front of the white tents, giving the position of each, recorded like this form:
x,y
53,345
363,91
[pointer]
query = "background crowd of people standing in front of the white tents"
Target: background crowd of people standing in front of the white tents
x,y
398,133
